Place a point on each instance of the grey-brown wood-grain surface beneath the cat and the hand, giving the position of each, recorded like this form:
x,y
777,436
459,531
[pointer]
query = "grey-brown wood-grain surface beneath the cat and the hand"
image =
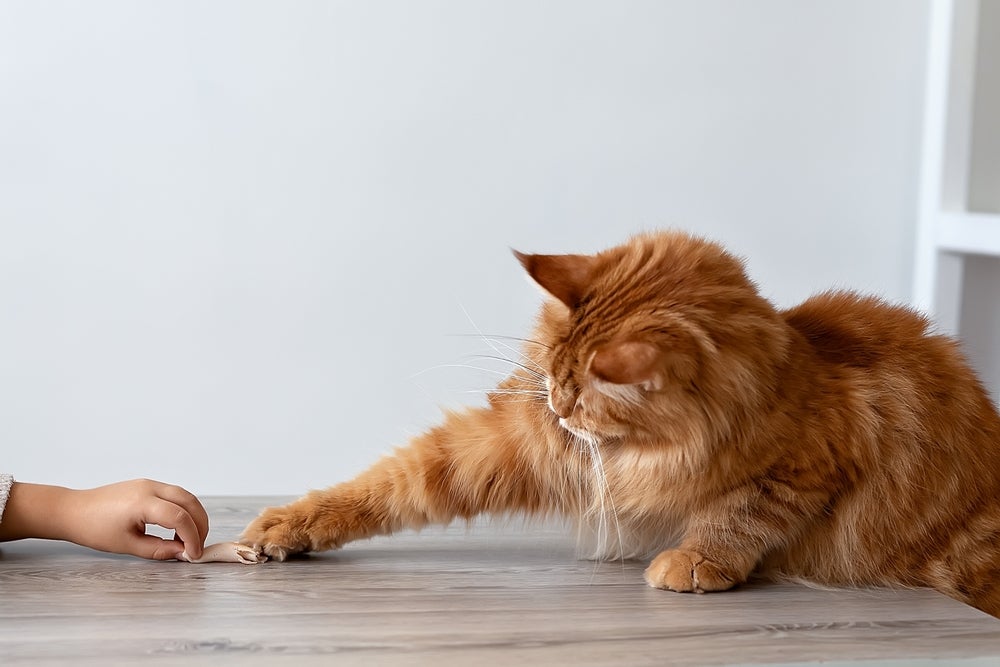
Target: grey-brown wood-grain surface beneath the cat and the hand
x,y
448,597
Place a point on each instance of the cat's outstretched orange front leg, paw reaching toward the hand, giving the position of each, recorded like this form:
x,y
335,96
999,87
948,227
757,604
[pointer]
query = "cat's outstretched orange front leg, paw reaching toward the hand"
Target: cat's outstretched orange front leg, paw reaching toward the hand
x,y
475,462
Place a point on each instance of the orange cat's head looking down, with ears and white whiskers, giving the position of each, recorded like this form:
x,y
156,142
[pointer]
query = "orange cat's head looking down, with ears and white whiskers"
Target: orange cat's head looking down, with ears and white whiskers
x,y
660,340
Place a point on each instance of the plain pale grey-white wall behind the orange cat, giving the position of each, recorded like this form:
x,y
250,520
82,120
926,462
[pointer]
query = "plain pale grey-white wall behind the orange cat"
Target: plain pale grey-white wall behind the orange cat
x,y
232,232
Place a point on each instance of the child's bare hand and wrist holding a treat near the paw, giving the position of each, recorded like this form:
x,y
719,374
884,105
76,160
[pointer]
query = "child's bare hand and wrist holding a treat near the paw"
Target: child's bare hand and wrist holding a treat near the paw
x,y
109,518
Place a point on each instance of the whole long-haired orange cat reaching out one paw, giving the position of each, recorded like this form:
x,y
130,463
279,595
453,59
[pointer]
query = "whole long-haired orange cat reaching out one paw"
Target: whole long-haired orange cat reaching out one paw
x,y
840,441
